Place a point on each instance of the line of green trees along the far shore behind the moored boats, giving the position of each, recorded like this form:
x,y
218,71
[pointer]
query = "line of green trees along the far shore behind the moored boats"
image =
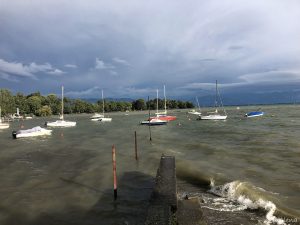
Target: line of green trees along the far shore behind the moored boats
x,y
39,105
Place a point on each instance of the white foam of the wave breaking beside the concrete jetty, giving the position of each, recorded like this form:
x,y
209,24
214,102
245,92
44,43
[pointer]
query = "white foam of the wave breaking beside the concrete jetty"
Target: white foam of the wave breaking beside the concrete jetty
x,y
233,192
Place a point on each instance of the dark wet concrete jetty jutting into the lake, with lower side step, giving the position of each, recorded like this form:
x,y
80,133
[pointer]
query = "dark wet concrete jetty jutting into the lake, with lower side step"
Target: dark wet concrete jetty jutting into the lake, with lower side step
x,y
165,207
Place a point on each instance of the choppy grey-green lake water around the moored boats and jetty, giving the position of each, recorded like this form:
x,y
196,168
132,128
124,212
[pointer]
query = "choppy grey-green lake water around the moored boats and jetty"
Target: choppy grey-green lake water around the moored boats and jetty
x,y
245,170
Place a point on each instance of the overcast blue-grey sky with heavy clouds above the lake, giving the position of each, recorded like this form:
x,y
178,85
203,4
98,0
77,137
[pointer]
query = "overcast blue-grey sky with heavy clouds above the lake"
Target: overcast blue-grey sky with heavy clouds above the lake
x,y
131,48
